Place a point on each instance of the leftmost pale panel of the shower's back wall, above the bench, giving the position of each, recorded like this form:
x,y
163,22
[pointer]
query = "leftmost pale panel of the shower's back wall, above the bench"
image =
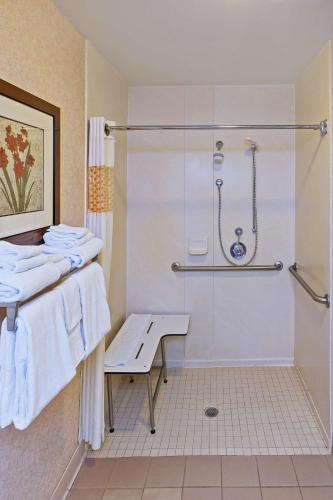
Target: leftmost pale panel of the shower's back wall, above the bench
x,y
156,206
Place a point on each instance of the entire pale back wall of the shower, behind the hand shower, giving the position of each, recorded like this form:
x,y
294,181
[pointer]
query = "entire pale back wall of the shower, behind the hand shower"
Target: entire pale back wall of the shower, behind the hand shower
x,y
236,319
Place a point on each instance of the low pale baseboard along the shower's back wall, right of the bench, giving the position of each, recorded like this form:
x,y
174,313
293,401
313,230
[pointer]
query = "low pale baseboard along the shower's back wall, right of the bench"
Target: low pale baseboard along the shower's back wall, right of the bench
x,y
205,363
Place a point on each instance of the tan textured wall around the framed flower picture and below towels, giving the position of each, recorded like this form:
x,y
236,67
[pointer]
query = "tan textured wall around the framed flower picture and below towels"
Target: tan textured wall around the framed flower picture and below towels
x,y
42,53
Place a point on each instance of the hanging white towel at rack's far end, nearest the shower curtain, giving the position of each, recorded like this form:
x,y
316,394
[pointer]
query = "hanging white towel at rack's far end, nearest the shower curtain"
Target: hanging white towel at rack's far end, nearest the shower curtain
x,y
96,322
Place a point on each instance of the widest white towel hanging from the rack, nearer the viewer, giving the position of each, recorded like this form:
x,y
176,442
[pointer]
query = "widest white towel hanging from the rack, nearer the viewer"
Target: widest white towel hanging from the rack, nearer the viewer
x,y
43,361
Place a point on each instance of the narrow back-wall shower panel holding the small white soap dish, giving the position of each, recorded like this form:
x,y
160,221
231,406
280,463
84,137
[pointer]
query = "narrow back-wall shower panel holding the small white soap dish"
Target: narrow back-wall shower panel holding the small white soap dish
x,y
199,219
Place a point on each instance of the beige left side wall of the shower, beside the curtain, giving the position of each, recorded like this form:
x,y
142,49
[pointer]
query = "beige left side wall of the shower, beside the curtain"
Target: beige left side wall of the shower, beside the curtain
x,y
107,96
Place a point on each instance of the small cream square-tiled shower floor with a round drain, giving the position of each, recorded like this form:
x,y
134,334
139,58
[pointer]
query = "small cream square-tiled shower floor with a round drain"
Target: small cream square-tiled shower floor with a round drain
x,y
262,411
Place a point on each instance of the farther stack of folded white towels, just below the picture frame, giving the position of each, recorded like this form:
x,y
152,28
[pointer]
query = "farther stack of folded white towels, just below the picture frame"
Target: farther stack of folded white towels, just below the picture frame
x,y
77,244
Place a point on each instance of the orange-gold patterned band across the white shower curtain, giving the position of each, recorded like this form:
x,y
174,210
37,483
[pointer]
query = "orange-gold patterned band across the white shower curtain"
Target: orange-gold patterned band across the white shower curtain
x,y
100,189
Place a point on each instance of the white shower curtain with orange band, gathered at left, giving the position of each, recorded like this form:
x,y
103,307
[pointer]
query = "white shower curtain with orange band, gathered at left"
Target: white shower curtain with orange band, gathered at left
x,y
100,222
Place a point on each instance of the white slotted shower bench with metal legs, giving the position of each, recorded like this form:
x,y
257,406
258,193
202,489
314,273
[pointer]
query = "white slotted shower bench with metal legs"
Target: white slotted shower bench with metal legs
x,y
161,326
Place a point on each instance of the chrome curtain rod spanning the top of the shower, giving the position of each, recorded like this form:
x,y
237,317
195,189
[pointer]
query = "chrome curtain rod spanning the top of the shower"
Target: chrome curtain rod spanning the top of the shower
x,y
322,127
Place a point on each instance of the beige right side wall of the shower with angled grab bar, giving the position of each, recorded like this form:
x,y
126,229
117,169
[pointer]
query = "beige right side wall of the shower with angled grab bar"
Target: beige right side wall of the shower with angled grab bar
x,y
313,232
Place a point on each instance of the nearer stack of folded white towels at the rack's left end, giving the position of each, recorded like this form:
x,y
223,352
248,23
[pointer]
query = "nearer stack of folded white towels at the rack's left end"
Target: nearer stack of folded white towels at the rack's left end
x,y
24,271
